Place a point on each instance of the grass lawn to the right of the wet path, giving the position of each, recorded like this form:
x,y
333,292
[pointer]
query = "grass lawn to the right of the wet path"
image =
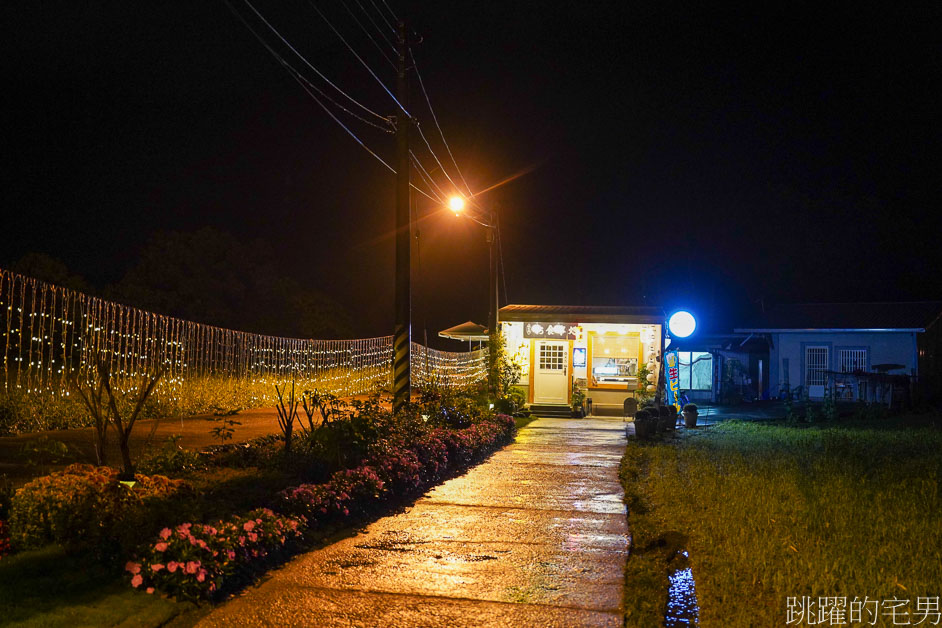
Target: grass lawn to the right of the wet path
x,y
770,511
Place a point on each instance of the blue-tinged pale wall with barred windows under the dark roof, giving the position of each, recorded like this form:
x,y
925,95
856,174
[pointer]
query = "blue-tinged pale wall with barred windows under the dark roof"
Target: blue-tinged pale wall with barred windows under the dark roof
x,y
789,355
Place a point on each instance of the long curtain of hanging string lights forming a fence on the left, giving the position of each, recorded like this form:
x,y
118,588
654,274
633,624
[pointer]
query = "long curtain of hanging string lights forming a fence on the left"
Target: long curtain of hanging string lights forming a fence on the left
x,y
49,333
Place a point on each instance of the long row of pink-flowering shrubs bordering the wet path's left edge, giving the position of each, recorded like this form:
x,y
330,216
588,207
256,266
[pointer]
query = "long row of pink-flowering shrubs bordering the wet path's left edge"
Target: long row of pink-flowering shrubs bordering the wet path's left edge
x,y
197,561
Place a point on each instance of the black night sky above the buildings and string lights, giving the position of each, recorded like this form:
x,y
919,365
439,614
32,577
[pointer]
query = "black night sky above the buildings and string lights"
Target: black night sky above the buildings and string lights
x,y
677,155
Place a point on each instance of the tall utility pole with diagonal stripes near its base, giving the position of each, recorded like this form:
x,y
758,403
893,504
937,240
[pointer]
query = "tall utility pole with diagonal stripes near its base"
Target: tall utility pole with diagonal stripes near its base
x,y
402,334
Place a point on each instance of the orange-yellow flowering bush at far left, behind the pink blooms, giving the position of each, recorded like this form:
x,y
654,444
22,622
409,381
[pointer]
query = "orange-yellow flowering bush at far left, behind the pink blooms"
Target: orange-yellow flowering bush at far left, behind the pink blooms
x,y
86,508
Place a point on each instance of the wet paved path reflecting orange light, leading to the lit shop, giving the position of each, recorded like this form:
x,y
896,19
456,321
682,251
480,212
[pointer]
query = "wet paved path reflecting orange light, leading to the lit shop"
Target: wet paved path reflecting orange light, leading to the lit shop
x,y
536,536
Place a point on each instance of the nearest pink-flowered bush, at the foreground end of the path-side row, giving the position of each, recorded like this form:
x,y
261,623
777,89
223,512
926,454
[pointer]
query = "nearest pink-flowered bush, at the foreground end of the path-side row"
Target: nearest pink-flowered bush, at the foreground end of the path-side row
x,y
202,561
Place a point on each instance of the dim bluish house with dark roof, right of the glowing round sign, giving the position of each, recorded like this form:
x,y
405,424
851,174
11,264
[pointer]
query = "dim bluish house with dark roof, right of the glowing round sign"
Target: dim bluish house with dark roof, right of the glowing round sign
x,y
850,348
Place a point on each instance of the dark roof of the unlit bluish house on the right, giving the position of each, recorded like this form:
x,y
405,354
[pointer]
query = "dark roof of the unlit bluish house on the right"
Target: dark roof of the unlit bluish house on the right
x,y
911,316
